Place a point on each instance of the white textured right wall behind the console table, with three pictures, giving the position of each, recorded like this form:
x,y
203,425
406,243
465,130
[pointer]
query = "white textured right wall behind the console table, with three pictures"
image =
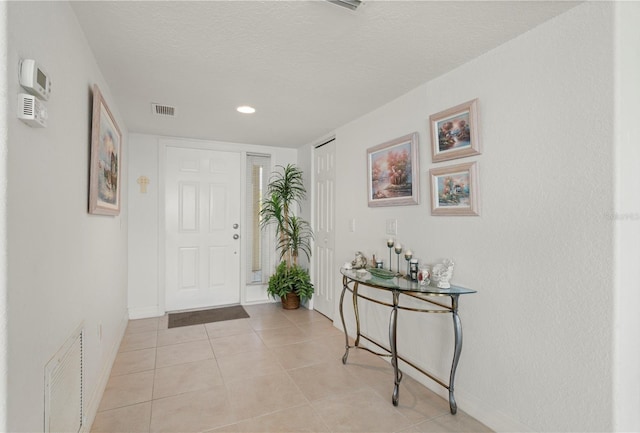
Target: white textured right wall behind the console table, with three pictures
x,y
538,345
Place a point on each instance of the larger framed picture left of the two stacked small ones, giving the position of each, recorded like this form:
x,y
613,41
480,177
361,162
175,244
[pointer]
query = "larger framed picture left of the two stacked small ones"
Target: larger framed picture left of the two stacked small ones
x,y
392,175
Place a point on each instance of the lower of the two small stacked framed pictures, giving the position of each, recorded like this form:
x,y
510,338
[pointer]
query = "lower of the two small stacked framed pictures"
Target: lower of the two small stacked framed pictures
x,y
454,190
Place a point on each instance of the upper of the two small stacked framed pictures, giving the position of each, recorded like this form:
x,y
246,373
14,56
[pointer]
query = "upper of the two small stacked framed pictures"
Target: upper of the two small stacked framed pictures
x,y
454,132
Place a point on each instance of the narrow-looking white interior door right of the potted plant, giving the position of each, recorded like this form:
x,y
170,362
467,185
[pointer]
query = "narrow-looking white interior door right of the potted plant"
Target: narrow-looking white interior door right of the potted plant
x,y
324,193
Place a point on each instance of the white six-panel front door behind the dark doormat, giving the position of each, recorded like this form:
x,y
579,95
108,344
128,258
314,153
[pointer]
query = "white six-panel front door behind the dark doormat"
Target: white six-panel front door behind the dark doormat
x,y
202,198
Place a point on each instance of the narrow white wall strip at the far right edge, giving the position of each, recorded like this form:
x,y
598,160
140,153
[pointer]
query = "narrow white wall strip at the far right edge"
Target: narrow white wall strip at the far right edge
x,y
626,393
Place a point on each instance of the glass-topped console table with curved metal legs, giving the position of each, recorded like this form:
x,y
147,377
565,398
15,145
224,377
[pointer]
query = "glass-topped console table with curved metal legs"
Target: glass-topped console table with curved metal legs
x,y
400,286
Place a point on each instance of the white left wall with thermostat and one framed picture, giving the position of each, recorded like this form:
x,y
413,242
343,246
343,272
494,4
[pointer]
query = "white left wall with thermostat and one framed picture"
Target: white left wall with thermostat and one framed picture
x,y
65,266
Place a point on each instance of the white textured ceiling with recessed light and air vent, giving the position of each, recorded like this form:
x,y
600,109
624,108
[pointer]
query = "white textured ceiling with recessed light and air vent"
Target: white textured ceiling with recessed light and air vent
x,y
307,67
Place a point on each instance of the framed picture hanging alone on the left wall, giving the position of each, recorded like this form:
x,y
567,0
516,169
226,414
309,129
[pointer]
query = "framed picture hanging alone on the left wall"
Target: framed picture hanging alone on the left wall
x,y
106,159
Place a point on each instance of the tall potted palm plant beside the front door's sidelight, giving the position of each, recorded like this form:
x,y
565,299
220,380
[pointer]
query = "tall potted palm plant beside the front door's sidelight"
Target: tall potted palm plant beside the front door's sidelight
x,y
285,191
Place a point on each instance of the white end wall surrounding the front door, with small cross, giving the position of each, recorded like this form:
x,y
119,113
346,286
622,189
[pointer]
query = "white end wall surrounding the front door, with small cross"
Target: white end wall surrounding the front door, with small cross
x,y
146,227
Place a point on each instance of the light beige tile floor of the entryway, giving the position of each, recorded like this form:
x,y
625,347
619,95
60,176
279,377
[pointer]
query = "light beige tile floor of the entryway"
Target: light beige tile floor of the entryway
x,y
278,371
